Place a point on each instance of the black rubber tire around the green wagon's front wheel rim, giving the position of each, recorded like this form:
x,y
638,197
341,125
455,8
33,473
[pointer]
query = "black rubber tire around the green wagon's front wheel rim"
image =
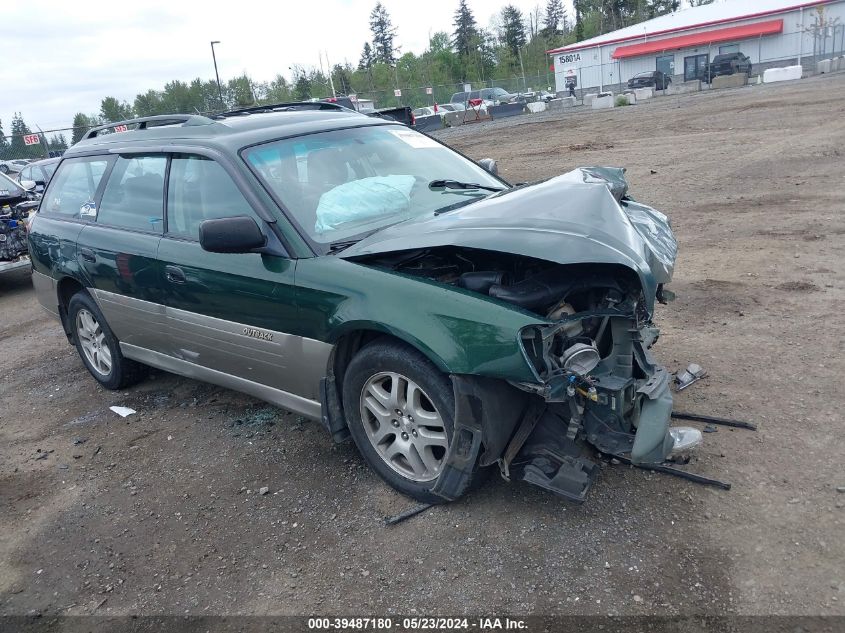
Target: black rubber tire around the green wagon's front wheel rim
x,y
386,356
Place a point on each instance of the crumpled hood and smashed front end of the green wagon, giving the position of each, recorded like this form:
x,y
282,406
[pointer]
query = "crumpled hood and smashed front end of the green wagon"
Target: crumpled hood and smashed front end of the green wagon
x,y
590,263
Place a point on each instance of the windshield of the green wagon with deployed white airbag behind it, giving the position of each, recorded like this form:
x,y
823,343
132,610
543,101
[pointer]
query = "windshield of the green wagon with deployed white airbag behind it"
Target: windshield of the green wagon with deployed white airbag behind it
x,y
341,184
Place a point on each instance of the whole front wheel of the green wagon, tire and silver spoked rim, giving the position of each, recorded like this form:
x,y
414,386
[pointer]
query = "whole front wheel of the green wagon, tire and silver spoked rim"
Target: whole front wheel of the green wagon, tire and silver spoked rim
x,y
400,411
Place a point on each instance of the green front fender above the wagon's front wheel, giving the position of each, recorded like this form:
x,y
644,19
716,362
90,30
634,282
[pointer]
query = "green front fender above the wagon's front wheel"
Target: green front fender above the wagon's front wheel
x,y
461,332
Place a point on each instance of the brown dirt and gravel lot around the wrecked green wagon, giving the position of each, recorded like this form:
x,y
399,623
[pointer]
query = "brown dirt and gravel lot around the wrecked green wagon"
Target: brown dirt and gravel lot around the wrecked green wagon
x,y
159,512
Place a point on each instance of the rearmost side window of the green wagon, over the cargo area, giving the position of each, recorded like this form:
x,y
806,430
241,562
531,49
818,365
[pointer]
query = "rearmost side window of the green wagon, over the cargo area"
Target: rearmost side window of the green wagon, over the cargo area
x,y
71,193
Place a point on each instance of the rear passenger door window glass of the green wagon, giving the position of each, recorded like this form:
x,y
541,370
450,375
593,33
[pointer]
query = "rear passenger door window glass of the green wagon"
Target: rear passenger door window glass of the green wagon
x,y
134,194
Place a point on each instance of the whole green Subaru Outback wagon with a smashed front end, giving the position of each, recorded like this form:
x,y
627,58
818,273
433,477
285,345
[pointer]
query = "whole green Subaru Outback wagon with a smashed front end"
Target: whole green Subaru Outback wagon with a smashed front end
x,y
362,274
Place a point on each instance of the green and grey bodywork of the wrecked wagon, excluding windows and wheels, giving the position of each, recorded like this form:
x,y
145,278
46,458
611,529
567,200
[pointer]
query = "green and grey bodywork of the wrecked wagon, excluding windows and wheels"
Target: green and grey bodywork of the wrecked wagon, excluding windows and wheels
x,y
272,318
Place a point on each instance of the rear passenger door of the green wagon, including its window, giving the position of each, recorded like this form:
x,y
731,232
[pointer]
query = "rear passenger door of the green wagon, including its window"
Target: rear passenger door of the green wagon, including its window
x,y
116,249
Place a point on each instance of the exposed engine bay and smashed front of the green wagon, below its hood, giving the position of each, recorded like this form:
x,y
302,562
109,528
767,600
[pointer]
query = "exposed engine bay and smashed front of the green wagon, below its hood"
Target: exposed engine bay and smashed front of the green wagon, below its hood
x,y
599,381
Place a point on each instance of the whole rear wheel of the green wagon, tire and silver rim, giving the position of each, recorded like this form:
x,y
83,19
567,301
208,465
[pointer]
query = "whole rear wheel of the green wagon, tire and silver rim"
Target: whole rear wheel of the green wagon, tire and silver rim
x,y
98,347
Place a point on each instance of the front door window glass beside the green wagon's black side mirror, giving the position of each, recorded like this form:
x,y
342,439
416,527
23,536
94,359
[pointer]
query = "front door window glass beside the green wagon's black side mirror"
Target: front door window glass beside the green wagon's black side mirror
x,y
200,189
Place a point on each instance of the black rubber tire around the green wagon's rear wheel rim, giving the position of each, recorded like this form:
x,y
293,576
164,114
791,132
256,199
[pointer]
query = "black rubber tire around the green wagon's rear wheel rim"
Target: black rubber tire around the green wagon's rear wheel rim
x,y
122,372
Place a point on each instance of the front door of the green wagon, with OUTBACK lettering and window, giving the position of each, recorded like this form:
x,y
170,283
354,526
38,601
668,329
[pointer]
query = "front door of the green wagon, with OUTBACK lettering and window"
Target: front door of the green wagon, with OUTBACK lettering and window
x,y
230,315
